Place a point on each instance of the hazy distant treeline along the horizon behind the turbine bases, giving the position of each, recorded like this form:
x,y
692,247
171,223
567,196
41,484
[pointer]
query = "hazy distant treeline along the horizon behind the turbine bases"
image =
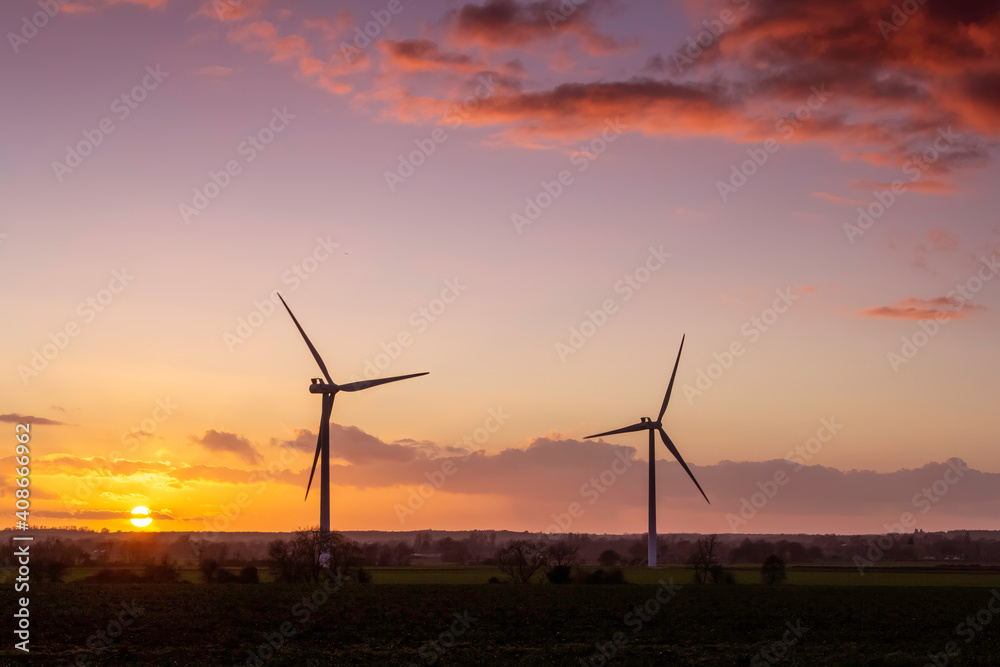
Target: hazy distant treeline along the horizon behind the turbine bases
x,y
67,548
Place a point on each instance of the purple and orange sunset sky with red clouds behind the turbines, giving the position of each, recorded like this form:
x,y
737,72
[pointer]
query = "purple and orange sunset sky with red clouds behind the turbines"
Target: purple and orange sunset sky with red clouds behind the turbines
x,y
533,202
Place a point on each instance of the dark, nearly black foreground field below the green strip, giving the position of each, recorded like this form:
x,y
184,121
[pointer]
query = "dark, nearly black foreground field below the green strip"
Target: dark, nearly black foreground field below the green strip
x,y
538,624
